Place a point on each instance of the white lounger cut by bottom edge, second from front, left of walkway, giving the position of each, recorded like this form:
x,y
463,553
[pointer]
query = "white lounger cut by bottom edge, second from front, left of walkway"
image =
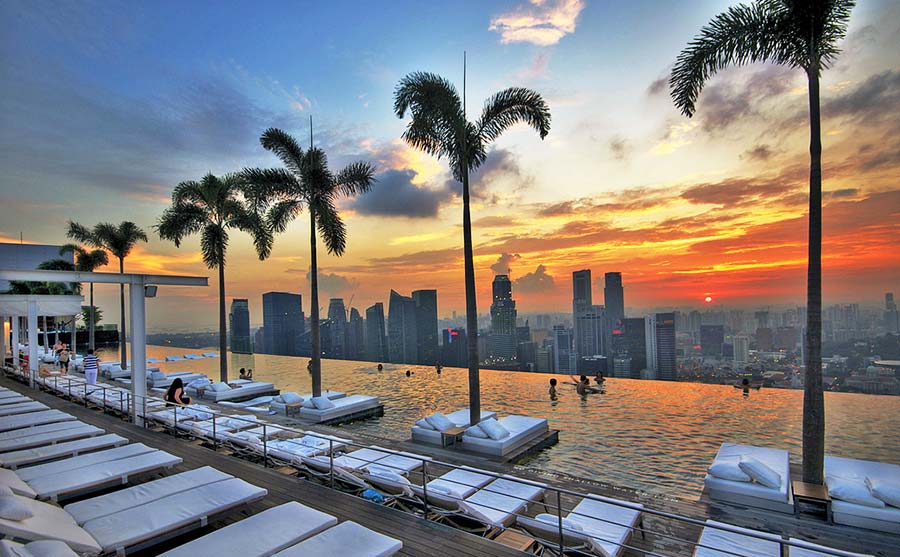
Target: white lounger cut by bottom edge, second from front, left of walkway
x,y
273,530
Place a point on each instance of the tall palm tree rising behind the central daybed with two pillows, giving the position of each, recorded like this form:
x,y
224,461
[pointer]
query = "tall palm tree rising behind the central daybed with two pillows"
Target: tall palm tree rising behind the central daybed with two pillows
x,y
439,127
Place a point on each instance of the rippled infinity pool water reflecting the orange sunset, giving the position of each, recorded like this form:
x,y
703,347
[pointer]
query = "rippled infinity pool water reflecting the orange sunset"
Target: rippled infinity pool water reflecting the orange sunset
x,y
650,435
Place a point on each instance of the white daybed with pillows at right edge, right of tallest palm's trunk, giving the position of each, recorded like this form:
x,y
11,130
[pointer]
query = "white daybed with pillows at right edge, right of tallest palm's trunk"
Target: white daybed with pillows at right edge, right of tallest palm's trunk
x,y
885,519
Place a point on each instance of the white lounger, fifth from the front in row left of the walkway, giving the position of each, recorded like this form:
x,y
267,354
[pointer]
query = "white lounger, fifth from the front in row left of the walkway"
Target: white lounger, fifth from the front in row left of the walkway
x,y
116,472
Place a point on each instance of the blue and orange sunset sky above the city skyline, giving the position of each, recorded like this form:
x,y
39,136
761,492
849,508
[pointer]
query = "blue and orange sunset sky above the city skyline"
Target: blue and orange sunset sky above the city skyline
x,y
105,106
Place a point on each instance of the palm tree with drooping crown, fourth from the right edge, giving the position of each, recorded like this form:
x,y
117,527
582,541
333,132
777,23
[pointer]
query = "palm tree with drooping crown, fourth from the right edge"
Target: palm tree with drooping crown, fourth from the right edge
x,y
211,207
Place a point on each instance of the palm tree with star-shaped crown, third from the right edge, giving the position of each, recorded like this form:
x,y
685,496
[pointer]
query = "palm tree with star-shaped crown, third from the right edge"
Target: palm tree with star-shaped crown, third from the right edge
x,y
306,182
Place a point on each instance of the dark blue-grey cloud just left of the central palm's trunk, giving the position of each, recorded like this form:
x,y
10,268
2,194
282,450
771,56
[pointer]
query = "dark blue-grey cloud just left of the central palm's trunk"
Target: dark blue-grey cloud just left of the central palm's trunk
x,y
395,195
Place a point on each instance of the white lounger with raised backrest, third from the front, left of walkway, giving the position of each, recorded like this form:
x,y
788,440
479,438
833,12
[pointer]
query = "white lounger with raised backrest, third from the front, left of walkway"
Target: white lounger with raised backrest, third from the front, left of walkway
x,y
133,527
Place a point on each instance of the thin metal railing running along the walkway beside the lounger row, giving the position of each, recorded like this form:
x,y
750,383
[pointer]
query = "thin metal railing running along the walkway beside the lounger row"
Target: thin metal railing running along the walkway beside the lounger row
x,y
337,473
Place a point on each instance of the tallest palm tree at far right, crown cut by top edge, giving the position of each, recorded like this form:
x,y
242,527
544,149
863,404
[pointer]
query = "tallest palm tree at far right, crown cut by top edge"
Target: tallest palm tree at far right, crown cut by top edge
x,y
797,34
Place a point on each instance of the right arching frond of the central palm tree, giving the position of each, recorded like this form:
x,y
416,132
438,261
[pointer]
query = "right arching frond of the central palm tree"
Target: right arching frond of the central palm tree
x,y
512,106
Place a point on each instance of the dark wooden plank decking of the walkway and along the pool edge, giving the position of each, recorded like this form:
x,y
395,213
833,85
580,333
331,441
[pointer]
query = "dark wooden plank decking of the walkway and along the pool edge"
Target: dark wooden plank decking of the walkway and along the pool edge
x,y
663,536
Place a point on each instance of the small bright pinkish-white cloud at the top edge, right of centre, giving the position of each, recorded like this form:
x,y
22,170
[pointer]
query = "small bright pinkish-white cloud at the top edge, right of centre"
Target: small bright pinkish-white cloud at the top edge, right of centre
x,y
541,22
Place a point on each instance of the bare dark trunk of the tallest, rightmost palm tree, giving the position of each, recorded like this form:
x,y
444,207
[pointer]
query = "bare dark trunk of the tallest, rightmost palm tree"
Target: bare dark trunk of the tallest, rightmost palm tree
x,y
813,395
